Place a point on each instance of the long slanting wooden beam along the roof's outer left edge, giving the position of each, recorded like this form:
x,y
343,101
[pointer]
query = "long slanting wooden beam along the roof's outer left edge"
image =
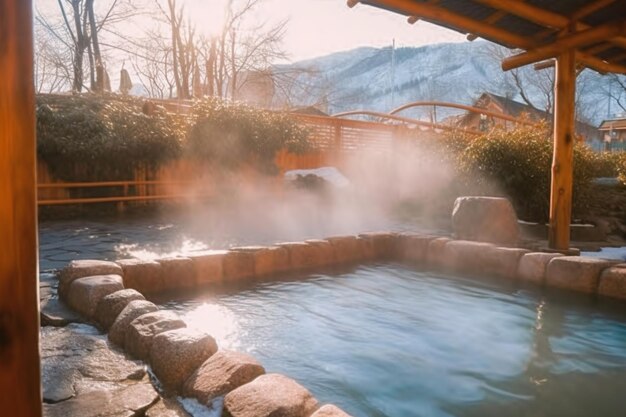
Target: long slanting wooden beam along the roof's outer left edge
x,y
439,15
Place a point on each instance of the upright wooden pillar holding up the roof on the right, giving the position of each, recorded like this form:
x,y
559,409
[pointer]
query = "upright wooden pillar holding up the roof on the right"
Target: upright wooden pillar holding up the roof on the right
x,y
563,159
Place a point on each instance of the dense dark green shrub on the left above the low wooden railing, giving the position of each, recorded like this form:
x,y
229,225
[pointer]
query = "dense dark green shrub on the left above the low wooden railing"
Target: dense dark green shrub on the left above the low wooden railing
x,y
88,138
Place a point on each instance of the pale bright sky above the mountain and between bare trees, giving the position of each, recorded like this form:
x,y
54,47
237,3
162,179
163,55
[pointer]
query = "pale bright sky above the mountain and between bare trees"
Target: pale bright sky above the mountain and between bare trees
x,y
320,27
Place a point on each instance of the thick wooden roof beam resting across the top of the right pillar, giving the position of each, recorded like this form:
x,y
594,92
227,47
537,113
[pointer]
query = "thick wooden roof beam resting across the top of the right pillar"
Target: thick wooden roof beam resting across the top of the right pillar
x,y
576,40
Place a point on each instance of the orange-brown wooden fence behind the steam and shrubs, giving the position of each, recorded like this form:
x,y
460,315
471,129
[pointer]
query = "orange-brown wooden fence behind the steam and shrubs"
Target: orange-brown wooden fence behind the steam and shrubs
x,y
331,138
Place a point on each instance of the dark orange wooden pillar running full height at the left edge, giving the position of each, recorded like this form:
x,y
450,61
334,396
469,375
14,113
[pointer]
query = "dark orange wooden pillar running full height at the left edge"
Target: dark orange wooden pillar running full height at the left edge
x,y
20,386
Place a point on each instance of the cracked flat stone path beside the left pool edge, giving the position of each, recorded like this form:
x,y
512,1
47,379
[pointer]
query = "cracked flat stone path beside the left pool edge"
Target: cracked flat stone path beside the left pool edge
x,y
83,375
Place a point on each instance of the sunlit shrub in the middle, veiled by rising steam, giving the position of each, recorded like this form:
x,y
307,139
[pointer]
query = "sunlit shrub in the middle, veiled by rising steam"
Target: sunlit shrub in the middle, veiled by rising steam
x,y
232,134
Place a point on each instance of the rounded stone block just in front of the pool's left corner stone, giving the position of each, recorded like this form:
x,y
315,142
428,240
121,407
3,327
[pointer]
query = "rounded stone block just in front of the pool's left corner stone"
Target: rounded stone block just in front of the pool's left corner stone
x,y
85,293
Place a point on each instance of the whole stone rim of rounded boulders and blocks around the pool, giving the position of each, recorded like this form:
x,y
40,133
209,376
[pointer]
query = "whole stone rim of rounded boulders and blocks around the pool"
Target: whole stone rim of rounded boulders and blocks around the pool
x,y
184,361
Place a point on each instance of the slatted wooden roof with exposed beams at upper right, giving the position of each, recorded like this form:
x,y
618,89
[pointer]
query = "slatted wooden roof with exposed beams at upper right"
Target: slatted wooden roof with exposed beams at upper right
x,y
596,29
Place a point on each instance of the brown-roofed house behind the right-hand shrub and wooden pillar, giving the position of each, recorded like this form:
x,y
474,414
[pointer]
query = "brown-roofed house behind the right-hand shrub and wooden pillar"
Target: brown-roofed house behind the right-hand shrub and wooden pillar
x,y
499,104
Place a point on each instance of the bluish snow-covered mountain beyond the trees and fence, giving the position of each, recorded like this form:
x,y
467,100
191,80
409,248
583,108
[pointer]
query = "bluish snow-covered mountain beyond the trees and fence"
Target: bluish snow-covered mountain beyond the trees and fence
x,y
454,72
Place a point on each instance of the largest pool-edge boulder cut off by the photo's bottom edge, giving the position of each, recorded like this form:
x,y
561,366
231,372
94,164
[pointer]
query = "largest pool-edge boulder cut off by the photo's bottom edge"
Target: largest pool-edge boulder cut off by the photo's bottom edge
x,y
270,395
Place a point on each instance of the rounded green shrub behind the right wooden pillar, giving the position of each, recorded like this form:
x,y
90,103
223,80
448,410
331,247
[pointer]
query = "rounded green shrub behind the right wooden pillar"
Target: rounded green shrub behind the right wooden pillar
x,y
518,163
